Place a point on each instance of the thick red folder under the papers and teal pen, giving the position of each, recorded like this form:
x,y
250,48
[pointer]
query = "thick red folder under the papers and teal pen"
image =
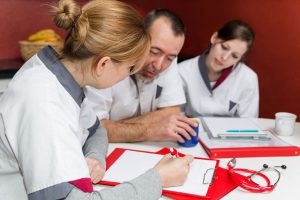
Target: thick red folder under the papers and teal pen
x,y
237,152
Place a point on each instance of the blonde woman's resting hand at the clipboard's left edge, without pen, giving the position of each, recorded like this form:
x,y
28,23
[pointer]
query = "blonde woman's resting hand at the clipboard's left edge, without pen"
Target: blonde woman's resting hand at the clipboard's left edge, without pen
x,y
96,169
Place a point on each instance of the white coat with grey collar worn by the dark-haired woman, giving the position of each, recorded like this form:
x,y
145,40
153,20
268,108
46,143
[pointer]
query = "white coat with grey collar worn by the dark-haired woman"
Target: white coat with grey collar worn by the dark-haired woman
x,y
236,96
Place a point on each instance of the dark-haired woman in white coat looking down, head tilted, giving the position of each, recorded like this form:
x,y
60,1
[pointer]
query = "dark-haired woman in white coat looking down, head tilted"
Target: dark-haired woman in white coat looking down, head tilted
x,y
218,83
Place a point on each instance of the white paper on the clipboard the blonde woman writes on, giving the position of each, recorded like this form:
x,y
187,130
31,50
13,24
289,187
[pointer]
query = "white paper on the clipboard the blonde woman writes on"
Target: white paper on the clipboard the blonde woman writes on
x,y
132,164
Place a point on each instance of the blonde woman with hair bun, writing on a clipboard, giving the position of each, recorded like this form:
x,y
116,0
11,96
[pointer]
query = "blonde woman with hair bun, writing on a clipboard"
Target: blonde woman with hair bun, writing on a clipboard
x,y
51,143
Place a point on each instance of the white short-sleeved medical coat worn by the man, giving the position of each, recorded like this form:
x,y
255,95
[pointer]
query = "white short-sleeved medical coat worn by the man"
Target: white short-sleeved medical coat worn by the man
x,y
130,97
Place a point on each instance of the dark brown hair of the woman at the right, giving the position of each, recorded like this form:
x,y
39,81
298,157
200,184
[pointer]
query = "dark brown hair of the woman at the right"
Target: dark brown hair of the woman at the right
x,y
237,29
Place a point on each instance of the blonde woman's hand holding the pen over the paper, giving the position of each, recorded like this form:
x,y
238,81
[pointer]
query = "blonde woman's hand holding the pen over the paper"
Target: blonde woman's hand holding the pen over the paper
x,y
173,171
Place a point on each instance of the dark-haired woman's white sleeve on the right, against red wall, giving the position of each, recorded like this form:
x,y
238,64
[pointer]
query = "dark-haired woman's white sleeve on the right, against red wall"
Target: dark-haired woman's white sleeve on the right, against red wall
x,y
249,104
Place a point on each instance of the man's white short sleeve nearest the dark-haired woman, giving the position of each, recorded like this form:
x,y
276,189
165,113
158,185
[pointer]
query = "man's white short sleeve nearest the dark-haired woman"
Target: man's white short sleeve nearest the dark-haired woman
x,y
172,93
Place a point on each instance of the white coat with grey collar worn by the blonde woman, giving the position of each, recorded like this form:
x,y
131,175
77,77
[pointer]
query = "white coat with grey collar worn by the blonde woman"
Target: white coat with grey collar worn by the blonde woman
x,y
44,123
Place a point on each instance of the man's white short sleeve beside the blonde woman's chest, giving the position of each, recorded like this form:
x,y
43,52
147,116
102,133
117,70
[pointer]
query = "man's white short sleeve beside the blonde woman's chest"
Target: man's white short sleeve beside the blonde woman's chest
x,y
100,100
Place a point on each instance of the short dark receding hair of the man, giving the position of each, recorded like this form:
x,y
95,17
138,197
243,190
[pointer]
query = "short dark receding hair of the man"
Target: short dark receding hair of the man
x,y
177,24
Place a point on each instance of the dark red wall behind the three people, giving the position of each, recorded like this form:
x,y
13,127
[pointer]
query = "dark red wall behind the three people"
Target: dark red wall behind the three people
x,y
274,56
